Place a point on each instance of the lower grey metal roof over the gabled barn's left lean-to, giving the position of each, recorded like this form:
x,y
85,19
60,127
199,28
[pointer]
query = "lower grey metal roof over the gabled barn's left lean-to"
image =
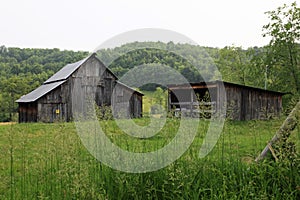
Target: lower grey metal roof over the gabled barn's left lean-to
x,y
39,92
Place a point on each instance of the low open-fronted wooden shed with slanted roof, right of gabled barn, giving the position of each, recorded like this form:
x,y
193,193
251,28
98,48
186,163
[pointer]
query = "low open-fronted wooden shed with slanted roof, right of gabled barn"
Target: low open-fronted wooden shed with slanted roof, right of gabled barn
x,y
242,102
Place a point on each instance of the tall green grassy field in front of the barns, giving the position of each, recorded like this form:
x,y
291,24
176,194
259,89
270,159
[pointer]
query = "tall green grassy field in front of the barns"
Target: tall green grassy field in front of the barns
x,y
48,161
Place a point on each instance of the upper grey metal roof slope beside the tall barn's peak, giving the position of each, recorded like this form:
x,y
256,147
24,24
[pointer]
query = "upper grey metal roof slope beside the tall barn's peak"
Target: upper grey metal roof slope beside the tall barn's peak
x,y
66,71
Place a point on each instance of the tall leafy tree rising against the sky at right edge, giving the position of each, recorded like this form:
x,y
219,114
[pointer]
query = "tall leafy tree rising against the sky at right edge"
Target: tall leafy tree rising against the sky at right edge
x,y
284,30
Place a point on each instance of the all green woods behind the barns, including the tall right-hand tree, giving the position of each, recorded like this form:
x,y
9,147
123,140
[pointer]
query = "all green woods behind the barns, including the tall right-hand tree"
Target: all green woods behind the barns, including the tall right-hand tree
x,y
273,67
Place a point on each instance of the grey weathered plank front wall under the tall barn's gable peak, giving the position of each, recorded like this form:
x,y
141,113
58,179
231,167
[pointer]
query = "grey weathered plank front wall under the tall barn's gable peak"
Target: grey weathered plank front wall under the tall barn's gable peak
x,y
91,82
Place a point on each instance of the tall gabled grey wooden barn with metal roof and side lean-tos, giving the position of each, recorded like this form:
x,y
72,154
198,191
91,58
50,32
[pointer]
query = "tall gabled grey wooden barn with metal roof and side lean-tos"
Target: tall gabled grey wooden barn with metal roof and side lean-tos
x,y
91,80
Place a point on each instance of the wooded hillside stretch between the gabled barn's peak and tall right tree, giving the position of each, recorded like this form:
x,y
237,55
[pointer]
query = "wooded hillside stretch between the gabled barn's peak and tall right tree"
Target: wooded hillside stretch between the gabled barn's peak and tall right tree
x,y
234,63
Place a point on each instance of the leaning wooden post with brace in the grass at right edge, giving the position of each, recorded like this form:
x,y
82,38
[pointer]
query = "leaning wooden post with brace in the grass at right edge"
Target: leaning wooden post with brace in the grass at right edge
x,y
288,125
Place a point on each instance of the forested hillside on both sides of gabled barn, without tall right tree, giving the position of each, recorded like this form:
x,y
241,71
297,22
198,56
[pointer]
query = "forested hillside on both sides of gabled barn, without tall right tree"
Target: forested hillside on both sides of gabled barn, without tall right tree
x,y
22,70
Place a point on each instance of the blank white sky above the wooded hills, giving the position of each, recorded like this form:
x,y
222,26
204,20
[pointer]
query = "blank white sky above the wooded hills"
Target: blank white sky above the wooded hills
x,y
85,24
